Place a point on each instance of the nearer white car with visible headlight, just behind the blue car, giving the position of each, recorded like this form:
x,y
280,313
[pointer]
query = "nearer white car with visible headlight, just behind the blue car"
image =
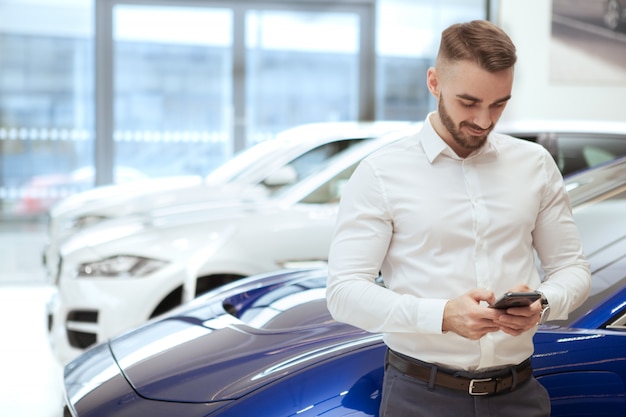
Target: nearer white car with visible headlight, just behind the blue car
x,y
117,274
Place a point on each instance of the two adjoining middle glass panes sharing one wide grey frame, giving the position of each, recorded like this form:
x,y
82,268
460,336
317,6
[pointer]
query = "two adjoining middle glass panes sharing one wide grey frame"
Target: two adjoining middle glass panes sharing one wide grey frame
x,y
174,83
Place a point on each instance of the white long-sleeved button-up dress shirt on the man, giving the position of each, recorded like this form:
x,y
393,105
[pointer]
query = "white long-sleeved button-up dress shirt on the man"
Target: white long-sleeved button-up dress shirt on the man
x,y
437,225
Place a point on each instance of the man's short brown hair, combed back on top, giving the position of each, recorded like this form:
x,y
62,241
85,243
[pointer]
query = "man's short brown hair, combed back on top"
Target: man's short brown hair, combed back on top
x,y
479,41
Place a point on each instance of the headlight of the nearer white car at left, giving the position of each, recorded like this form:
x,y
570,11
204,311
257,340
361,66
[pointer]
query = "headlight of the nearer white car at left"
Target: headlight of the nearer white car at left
x,y
121,266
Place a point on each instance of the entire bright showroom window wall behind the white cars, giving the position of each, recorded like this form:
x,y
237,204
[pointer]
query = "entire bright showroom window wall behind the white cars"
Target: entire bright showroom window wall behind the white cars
x,y
193,82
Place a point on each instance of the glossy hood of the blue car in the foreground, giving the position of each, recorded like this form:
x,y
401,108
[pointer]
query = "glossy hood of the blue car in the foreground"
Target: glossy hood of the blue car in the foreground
x,y
210,355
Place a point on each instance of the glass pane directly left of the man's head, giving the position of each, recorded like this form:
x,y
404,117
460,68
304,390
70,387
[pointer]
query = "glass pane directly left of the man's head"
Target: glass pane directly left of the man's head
x,y
407,39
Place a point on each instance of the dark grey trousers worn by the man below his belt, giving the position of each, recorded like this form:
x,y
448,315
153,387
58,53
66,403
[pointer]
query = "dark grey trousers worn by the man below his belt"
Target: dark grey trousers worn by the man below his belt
x,y
405,396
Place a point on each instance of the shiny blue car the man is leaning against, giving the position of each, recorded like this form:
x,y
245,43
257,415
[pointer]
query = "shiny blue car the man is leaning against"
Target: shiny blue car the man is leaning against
x,y
266,346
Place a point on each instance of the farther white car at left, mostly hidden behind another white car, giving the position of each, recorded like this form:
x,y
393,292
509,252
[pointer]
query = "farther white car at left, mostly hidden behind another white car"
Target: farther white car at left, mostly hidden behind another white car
x,y
253,174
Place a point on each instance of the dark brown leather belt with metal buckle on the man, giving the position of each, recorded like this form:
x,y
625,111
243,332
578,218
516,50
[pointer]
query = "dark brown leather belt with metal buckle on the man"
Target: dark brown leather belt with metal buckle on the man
x,y
509,379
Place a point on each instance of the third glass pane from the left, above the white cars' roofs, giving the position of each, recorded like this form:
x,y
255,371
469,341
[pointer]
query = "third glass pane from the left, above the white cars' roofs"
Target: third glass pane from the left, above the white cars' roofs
x,y
301,67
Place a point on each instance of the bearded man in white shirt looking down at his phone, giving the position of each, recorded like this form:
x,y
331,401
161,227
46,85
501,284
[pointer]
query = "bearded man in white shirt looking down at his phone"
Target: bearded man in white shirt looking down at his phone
x,y
451,217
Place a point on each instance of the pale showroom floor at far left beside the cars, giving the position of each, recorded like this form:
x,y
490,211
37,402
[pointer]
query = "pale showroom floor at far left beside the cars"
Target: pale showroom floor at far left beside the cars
x,y
31,379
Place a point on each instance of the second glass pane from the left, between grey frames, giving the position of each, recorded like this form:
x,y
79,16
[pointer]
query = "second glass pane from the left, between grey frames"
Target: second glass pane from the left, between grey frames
x,y
172,98
